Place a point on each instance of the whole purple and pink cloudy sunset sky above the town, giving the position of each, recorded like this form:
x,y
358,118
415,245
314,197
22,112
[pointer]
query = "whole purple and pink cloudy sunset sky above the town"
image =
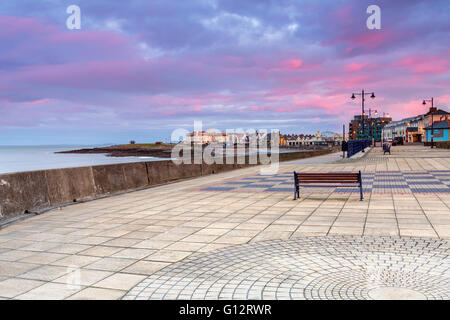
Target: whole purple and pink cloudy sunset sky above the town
x,y
138,70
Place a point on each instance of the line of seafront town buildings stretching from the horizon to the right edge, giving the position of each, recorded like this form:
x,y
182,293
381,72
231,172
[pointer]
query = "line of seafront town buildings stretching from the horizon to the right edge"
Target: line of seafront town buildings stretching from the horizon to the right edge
x,y
424,128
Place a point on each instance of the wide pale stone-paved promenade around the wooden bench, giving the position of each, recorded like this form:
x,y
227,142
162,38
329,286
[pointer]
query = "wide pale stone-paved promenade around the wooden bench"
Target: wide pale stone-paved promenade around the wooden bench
x,y
240,235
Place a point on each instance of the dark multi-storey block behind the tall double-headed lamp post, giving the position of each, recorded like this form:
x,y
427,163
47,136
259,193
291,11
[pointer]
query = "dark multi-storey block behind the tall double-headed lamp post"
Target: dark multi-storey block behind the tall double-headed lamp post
x,y
373,127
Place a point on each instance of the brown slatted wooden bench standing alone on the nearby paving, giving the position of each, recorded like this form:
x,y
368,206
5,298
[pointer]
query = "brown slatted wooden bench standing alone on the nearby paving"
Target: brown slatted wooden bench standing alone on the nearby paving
x,y
331,179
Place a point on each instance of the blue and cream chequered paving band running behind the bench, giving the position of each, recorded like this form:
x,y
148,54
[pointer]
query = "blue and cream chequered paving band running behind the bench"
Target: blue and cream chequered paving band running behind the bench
x,y
396,182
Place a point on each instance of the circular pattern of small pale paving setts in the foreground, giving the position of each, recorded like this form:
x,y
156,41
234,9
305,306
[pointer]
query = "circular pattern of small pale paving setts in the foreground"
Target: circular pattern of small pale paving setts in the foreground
x,y
309,268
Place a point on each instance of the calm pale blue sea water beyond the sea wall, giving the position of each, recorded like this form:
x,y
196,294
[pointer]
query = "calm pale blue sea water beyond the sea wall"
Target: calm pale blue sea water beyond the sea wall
x,y
29,158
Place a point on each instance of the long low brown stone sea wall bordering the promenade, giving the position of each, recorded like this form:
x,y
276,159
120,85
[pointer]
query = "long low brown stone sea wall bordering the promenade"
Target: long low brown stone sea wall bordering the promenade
x,y
34,191
